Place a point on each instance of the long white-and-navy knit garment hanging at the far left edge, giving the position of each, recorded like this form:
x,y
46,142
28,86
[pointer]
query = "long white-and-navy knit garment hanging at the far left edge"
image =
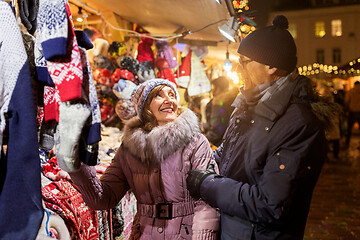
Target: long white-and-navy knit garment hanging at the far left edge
x,y
20,188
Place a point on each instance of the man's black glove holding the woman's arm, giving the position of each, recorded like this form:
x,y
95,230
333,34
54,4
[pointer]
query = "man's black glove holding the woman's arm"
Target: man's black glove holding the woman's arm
x,y
195,179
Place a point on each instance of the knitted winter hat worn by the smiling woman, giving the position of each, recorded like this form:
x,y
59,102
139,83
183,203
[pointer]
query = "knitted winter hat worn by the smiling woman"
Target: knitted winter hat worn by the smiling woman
x,y
141,93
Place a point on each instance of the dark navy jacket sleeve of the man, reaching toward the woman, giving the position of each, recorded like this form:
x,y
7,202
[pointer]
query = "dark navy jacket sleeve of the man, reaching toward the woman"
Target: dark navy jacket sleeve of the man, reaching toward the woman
x,y
292,169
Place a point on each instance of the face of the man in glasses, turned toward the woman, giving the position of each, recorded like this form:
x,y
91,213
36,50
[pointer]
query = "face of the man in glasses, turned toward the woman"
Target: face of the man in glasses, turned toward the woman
x,y
254,73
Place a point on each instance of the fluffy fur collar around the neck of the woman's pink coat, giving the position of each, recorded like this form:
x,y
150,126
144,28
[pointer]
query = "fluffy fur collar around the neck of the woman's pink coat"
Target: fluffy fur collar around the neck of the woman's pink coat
x,y
162,141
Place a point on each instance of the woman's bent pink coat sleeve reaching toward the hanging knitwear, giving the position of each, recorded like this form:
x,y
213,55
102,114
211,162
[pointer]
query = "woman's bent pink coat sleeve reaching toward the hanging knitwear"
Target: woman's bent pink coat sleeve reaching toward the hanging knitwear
x,y
106,192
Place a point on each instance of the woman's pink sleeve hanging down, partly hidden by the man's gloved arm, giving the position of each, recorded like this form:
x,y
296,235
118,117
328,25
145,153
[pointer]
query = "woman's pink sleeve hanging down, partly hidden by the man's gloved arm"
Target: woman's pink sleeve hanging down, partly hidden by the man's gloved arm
x,y
206,218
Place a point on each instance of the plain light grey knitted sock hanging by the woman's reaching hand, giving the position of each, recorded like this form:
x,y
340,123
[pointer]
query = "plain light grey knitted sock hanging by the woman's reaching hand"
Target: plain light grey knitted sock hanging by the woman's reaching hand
x,y
72,118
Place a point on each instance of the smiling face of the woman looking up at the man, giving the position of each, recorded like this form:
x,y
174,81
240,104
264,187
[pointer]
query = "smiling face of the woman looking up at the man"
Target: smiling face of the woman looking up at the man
x,y
164,106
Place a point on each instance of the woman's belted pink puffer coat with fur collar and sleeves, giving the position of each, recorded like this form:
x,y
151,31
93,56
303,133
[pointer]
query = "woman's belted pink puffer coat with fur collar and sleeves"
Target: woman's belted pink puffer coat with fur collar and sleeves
x,y
165,207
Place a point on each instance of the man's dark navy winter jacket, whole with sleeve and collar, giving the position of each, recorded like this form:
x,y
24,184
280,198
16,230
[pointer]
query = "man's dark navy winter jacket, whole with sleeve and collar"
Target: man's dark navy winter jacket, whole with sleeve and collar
x,y
270,160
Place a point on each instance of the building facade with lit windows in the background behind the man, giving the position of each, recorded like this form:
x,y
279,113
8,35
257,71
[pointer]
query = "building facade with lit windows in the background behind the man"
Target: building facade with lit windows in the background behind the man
x,y
325,32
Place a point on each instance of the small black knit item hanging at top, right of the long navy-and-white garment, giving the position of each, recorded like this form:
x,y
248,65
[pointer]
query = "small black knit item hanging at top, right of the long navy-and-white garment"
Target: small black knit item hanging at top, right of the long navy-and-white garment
x,y
28,11
